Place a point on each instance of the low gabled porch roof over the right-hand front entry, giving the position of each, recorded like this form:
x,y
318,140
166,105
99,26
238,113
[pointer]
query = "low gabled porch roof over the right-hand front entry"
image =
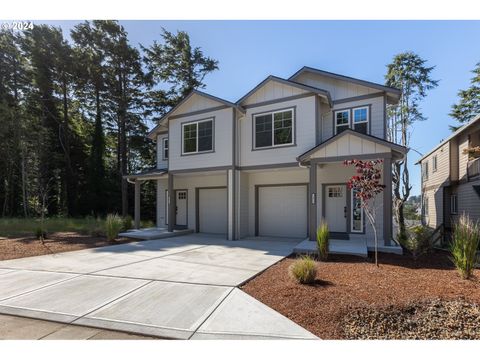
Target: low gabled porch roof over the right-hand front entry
x,y
352,144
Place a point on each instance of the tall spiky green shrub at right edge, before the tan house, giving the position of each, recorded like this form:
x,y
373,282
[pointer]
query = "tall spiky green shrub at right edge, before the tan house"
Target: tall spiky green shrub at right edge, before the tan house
x,y
465,240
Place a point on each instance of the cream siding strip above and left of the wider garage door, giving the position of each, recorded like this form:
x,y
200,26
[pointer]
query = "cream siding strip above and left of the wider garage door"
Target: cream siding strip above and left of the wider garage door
x,y
280,177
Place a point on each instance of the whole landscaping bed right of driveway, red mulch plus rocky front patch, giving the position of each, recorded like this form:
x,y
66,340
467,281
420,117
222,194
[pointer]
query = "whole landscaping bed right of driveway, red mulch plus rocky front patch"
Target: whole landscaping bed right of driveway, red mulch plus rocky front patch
x,y
353,299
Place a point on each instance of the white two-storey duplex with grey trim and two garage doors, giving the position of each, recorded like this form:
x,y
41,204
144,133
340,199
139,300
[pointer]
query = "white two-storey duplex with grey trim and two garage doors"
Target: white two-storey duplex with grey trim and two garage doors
x,y
271,164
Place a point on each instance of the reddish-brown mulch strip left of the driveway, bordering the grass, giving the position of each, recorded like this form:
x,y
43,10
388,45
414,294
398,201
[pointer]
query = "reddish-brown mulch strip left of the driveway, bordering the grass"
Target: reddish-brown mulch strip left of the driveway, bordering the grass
x,y
14,248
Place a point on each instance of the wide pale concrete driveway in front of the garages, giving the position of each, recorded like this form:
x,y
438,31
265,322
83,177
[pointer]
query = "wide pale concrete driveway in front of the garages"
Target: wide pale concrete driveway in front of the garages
x,y
182,288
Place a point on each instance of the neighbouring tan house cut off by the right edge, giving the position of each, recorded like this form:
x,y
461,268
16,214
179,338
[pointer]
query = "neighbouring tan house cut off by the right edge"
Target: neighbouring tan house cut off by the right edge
x,y
451,178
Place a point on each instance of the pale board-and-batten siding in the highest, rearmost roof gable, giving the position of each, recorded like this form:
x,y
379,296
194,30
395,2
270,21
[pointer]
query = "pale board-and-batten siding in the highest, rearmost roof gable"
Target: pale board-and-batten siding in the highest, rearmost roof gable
x,y
339,89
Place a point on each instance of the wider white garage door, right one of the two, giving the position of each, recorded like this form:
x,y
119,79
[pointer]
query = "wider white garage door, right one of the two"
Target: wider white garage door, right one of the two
x,y
282,211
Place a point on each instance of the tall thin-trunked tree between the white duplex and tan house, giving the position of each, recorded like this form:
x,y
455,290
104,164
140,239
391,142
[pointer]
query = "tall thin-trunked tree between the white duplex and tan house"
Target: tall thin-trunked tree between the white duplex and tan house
x,y
408,73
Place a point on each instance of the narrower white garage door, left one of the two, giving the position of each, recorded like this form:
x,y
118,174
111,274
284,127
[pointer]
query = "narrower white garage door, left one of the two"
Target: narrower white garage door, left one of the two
x,y
212,208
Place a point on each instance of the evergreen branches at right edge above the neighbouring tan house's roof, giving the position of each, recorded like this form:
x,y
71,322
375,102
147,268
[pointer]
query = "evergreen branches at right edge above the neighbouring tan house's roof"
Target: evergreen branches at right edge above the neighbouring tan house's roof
x,y
468,105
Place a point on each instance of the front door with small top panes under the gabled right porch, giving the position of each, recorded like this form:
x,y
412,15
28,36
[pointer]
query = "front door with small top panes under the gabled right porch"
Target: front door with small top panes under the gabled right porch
x,y
336,207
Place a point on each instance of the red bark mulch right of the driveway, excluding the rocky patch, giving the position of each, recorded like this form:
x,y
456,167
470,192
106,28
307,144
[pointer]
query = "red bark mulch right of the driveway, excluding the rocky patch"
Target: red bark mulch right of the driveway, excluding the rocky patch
x,y
345,285
